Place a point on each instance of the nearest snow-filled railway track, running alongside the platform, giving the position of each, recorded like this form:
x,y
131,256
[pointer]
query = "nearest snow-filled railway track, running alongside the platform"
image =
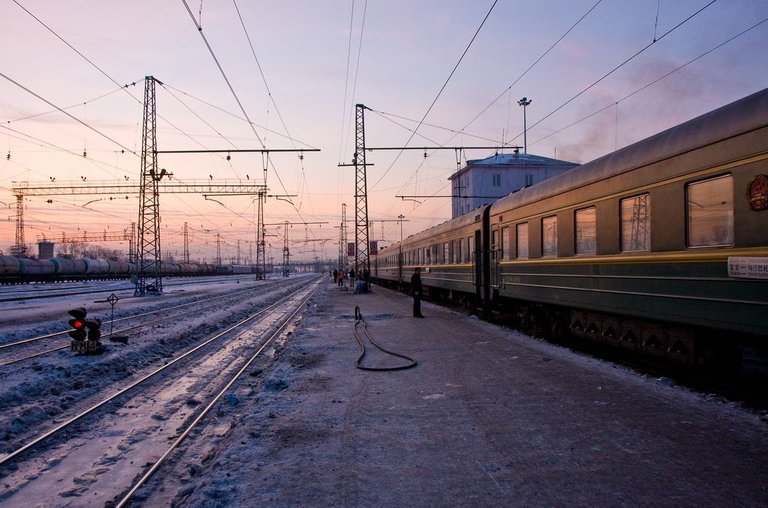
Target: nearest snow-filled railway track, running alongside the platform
x,y
117,443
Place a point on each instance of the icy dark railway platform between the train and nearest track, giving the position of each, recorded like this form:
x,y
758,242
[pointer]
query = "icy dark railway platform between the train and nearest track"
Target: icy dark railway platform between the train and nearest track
x,y
488,417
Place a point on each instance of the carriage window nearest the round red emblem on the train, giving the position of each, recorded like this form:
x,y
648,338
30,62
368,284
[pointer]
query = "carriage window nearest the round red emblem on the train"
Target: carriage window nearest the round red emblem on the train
x,y
710,212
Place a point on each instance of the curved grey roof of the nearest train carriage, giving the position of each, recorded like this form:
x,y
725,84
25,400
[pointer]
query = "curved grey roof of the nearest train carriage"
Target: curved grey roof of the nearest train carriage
x,y
739,117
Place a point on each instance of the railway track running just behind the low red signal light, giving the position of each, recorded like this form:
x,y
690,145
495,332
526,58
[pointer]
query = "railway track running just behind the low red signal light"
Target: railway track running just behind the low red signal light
x,y
34,347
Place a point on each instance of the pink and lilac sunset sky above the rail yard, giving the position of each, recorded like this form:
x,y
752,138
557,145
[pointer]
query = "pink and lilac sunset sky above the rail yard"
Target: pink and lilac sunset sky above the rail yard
x,y
296,68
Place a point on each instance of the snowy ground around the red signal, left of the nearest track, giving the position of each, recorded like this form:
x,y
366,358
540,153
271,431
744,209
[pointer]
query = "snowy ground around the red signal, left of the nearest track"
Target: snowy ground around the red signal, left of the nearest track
x,y
36,394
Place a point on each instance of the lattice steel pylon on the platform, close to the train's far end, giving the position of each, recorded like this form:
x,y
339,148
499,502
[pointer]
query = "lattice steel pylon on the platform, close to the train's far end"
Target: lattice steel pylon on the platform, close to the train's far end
x,y
362,258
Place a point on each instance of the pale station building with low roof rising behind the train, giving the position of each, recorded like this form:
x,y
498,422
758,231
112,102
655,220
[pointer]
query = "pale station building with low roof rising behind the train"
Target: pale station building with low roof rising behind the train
x,y
483,181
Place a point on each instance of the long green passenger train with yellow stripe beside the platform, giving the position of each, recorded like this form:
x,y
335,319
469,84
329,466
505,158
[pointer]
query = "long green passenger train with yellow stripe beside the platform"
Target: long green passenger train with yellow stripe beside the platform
x,y
660,247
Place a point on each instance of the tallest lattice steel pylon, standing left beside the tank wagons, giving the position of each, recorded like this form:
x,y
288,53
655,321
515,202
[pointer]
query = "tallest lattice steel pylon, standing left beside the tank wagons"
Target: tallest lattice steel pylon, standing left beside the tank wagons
x,y
148,257
